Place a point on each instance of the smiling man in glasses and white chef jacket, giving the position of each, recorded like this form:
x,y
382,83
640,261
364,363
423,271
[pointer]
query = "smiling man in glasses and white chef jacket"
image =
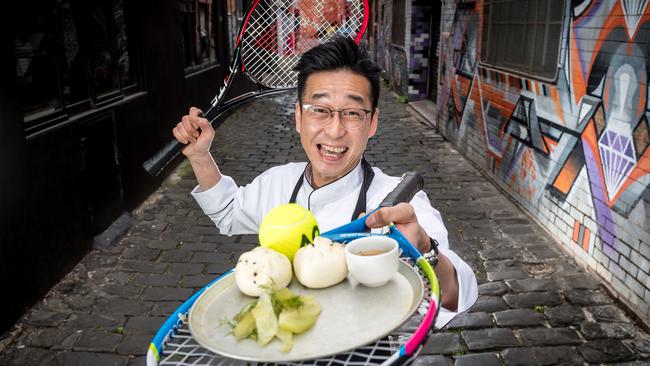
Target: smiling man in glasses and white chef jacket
x,y
336,114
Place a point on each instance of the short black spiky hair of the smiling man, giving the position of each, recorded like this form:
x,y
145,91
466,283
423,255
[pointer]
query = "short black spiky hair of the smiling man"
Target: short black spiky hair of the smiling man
x,y
341,53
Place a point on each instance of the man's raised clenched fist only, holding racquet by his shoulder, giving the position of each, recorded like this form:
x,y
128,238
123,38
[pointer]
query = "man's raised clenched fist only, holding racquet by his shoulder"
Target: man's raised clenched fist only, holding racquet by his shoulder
x,y
196,132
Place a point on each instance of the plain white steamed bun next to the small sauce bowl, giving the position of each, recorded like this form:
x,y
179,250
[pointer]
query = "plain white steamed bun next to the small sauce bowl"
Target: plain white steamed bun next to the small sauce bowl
x,y
321,264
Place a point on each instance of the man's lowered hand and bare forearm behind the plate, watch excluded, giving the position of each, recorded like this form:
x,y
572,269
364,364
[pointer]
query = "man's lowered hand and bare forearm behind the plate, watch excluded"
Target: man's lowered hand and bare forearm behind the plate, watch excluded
x,y
403,216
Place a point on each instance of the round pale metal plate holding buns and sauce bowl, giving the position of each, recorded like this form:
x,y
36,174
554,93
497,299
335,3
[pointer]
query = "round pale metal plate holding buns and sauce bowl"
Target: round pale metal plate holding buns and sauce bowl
x,y
353,315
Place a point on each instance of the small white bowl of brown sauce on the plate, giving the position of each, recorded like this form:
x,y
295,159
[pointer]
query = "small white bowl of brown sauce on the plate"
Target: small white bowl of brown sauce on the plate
x,y
367,267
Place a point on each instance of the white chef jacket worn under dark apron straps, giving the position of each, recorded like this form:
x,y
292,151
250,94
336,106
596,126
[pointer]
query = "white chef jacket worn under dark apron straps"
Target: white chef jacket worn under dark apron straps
x,y
240,210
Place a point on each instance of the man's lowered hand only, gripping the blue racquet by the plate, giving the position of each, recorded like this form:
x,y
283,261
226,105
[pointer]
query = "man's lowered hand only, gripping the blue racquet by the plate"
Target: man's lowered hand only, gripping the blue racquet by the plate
x,y
403,216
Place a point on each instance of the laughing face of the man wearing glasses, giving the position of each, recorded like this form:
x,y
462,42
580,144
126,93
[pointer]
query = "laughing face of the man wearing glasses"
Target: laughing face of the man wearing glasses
x,y
333,149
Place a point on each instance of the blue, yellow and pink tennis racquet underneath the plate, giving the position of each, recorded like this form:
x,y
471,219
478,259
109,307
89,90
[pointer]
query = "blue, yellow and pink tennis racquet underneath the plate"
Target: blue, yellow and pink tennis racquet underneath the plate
x,y
174,345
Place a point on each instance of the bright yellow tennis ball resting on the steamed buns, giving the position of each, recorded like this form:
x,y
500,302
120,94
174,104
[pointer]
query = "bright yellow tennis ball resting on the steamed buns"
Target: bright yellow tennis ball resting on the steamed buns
x,y
288,227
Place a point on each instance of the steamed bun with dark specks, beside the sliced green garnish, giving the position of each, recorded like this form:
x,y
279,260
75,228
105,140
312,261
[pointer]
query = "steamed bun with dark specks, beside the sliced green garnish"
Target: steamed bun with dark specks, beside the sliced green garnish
x,y
260,268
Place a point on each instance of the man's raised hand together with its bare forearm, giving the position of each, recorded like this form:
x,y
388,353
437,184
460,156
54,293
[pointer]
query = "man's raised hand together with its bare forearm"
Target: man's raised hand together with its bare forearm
x,y
197,133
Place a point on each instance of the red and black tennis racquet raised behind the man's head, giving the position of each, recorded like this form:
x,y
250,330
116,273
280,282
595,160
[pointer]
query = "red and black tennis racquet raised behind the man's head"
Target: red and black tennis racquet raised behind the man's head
x,y
271,39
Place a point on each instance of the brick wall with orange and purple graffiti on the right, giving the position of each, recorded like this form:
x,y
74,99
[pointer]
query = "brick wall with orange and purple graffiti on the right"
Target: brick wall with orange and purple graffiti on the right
x,y
573,151
